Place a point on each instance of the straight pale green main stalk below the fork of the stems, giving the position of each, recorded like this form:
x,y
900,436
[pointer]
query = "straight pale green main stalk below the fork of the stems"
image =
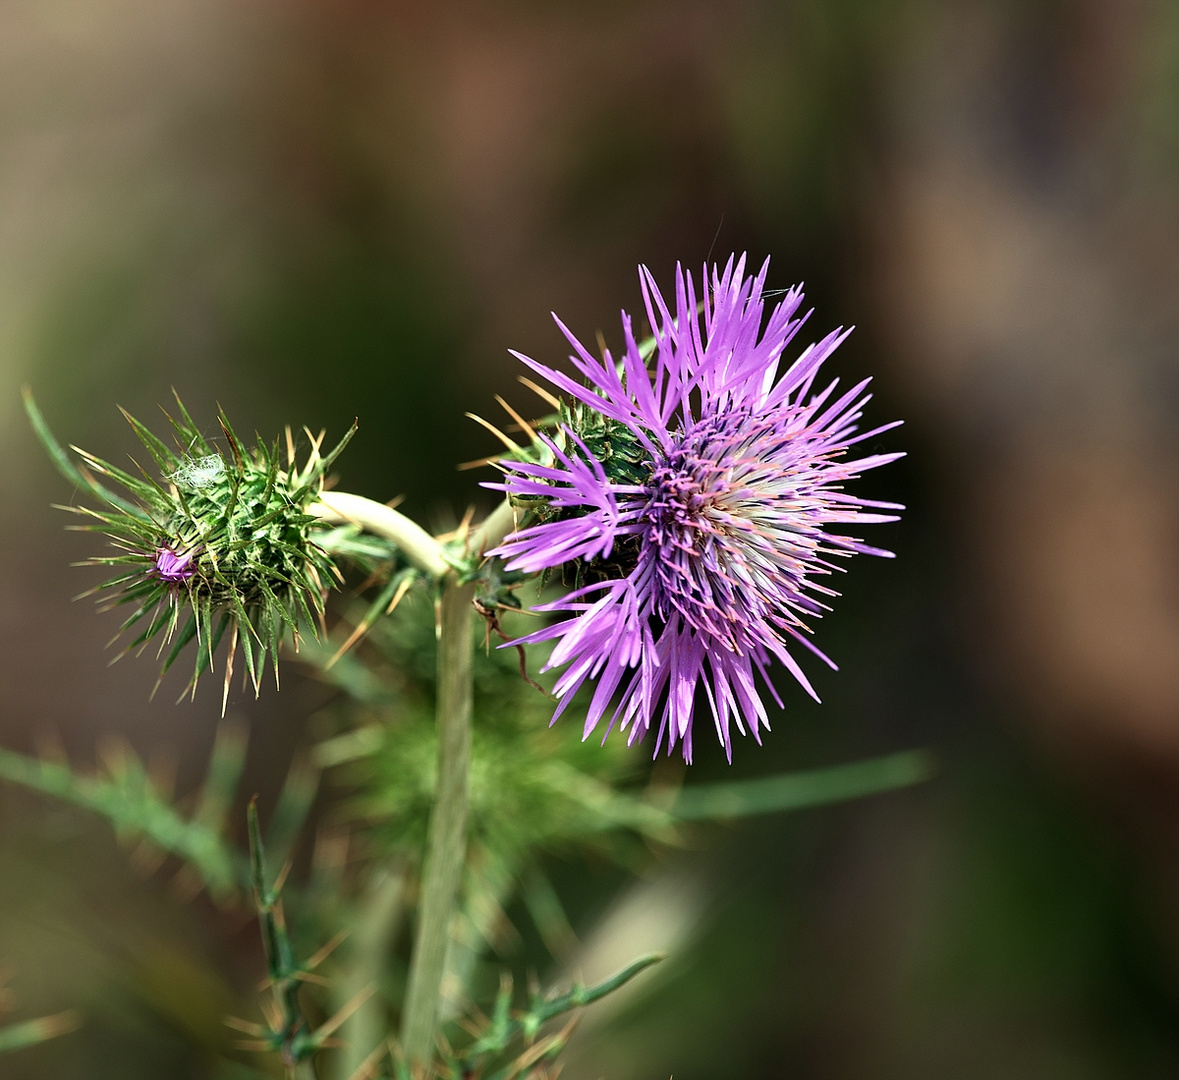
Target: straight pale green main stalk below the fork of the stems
x,y
446,842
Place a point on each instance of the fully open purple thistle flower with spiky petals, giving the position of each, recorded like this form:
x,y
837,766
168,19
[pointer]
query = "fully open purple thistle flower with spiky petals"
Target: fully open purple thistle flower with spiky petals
x,y
708,567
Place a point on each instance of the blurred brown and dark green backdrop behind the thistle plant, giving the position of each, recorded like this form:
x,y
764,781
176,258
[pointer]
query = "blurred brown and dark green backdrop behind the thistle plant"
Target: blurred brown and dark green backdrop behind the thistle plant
x,y
314,212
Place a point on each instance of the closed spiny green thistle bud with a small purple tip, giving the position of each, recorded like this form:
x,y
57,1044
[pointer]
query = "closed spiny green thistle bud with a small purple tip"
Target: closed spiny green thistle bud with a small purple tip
x,y
216,544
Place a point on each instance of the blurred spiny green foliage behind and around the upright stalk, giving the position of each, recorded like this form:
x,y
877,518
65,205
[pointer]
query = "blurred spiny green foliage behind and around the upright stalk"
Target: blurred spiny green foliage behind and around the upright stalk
x,y
536,793
